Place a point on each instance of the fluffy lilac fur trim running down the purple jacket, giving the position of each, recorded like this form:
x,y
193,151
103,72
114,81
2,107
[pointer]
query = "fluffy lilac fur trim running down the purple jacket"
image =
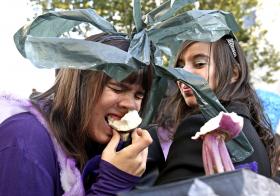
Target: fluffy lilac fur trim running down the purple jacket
x,y
70,176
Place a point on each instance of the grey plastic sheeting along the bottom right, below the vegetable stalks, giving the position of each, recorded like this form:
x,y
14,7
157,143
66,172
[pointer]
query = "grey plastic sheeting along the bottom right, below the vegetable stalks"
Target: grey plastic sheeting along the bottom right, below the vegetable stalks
x,y
240,182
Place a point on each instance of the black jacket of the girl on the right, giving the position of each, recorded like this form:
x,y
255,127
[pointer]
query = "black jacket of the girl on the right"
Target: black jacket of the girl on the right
x,y
184,160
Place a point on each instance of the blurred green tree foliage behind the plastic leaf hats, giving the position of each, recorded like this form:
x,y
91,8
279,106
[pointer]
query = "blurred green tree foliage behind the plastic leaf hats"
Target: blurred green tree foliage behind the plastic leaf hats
x,y
259,52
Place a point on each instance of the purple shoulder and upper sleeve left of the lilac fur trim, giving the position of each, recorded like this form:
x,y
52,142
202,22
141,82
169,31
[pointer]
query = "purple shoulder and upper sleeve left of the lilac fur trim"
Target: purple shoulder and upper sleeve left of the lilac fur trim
x,y
28,164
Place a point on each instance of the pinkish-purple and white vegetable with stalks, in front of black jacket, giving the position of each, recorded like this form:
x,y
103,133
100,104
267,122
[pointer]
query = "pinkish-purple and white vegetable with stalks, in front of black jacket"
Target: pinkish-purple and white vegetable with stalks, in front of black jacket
x,y
214,133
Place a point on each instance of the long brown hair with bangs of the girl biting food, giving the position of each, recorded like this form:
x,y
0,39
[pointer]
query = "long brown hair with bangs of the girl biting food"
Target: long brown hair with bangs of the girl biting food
x,y
68,104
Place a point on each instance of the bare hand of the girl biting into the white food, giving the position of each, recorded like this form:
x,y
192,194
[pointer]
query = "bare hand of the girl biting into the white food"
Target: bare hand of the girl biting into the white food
x,y
131,159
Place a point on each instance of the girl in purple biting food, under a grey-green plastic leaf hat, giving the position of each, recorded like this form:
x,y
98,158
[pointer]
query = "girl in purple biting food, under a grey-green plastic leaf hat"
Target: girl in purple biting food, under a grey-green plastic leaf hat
x,y
60,142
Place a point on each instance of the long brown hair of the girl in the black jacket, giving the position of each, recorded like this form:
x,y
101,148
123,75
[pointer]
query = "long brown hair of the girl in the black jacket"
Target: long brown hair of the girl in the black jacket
x,y
240,90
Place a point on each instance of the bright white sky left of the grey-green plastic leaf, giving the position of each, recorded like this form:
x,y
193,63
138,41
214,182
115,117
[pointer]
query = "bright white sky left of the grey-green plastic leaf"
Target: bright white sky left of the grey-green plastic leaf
x,y
17,74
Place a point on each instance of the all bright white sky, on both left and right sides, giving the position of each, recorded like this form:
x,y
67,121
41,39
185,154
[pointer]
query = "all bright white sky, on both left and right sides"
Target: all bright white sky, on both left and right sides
x,y
18,75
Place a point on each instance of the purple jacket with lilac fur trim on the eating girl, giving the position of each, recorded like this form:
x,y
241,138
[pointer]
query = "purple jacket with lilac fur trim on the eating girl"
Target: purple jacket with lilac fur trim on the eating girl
x,y
33,163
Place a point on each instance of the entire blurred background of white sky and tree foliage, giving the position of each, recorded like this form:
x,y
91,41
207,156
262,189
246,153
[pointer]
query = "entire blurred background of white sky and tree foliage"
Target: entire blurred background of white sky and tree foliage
x,y
259,35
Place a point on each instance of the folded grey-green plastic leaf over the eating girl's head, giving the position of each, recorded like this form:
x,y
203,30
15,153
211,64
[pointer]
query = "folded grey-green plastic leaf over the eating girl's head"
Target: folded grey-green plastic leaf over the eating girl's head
x,y
41,43
